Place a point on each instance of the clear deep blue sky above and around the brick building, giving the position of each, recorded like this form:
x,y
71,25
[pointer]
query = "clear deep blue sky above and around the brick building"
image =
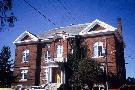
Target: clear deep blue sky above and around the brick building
x,y
65,12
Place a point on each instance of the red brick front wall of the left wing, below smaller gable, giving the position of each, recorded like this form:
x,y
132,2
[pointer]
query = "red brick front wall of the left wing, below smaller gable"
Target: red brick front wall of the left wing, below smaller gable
x,y
31,64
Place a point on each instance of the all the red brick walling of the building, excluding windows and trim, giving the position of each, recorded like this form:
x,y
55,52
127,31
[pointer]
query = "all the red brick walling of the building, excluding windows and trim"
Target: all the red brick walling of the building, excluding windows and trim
x,y
109,41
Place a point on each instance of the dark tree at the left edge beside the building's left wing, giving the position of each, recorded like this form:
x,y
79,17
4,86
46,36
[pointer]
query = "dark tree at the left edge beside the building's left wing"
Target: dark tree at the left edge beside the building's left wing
x,y
5,67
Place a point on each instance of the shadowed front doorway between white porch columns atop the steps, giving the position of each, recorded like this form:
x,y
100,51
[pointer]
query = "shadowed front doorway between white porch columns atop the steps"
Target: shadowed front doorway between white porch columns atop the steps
x,y
56,75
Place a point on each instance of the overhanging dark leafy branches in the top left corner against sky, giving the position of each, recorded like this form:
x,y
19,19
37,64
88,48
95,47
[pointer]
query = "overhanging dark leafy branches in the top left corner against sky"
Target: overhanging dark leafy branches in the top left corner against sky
x,y
6,18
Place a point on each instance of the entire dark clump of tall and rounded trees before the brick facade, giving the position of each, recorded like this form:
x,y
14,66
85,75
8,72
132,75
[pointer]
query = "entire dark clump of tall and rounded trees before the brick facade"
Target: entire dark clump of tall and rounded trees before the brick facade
x,y
79,69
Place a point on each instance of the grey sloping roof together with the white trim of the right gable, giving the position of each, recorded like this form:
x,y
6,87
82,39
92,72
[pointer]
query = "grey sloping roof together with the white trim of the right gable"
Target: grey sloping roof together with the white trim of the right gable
x,y
79,29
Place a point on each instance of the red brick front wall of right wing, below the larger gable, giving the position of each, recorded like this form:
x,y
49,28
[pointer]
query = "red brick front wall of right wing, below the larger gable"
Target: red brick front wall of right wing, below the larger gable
x,y
109,43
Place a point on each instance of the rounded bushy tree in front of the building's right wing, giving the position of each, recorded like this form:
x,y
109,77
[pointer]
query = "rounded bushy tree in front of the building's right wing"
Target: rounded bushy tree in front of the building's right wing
x,y
88,74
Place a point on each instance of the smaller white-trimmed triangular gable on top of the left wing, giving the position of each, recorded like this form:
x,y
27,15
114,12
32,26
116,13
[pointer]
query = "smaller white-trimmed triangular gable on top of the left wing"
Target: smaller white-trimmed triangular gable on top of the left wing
x,y
26,37
